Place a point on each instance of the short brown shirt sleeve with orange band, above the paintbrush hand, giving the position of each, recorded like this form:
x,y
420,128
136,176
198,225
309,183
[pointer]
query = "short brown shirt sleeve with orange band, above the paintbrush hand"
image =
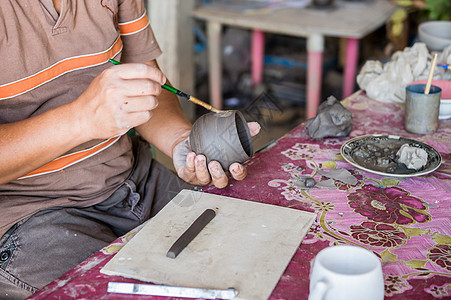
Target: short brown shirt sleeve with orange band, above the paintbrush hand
x,y
137,36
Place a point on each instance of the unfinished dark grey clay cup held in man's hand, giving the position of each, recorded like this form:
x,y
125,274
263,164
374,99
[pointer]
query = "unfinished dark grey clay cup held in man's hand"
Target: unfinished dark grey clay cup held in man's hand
x,y
223,136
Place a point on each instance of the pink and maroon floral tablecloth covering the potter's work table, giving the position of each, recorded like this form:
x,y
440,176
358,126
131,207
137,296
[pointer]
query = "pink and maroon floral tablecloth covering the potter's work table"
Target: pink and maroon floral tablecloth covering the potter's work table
x,y
404,221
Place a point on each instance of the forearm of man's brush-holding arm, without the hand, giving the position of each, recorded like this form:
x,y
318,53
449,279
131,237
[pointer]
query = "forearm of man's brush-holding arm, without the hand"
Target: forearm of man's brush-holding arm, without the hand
x,y
31,143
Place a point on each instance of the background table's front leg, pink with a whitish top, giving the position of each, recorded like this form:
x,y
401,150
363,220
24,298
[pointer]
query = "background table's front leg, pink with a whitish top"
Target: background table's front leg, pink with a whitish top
x,y
315,48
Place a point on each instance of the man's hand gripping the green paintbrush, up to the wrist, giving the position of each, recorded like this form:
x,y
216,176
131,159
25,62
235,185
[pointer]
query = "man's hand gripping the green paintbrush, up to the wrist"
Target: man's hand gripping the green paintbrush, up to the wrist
x,y
120,98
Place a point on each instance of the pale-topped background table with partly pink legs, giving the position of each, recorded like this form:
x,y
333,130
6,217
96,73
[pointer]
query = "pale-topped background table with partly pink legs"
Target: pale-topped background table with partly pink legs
x,y
352,22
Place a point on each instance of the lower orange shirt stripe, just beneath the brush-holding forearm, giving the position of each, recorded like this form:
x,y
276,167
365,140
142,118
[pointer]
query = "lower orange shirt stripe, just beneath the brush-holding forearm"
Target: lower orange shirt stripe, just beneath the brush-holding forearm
x,y
65,161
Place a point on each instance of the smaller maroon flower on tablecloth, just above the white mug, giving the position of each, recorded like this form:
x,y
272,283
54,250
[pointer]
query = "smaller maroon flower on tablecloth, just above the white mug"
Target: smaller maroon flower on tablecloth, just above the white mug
x,y
378,235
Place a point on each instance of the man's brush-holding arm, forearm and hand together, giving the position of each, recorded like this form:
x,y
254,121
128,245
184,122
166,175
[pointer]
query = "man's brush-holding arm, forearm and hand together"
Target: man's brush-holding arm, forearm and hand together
x,y
119,98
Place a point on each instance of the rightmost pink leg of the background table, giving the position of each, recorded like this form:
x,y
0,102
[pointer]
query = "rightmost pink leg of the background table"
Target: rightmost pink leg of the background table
x,y
352,56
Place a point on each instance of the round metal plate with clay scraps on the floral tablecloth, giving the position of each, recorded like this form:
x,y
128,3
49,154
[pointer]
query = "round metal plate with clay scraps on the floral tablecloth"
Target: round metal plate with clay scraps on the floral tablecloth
x,y
350,147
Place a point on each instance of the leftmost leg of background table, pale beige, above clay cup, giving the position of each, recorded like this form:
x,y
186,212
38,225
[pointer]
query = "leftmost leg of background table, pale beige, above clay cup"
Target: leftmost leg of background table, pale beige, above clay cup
x,y
214,63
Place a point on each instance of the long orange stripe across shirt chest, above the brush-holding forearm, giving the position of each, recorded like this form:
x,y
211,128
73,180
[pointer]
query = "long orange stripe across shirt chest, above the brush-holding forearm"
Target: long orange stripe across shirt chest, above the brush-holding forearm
x,y
24,85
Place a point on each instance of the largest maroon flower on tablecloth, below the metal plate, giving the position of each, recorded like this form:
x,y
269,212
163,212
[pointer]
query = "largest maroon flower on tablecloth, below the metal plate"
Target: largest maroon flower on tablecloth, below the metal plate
x,y
391,205
